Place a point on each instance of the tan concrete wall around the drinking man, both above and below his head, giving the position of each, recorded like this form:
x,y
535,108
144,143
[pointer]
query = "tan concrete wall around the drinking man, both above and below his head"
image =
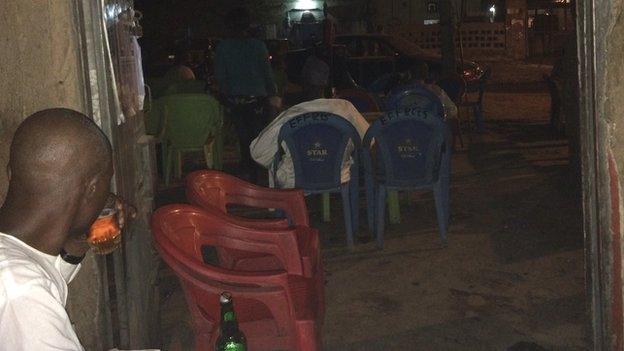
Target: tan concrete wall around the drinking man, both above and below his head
x,y
40,67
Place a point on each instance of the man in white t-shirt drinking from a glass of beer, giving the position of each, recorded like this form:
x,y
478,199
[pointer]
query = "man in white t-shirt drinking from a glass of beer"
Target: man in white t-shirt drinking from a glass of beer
x,y
60,168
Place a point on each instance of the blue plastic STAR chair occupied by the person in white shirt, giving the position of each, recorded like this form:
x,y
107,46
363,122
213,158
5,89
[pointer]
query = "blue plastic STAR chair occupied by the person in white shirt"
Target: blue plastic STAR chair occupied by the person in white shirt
x,y
317,142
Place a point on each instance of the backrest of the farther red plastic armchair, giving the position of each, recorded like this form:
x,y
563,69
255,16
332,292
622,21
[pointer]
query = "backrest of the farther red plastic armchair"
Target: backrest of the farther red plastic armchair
x,y
217,190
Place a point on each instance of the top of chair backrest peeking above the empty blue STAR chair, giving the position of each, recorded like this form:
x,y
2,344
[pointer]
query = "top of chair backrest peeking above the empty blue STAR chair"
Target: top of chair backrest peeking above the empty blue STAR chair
x,y
414,96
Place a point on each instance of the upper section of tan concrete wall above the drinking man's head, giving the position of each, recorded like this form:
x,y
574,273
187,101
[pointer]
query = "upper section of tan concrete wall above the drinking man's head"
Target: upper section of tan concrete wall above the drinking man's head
x,y
40,64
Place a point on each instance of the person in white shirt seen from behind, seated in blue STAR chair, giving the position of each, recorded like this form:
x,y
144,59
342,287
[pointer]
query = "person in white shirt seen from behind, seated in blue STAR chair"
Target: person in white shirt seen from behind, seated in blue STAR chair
x,y
264,147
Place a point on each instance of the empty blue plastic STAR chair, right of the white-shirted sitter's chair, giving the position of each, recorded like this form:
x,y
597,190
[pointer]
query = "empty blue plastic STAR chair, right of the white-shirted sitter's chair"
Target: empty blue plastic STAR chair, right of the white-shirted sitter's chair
x,y
411,154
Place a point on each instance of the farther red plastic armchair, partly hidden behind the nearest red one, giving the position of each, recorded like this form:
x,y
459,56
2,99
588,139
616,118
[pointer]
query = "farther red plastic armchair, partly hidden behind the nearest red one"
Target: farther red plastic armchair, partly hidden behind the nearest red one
x,y
214,190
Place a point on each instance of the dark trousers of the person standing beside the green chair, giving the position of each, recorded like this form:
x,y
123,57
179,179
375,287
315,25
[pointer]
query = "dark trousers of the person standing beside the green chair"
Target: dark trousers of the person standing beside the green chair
x,y
249,118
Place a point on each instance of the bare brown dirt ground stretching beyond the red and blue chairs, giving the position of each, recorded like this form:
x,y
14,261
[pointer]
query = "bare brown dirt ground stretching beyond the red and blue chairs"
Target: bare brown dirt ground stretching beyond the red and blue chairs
x,y
512,273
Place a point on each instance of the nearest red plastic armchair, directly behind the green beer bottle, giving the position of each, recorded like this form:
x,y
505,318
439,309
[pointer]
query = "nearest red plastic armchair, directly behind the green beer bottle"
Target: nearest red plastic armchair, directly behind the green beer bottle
x,y
275,310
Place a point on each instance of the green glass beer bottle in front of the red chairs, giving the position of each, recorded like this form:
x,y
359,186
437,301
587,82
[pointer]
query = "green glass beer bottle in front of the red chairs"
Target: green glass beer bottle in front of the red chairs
x,y
230,338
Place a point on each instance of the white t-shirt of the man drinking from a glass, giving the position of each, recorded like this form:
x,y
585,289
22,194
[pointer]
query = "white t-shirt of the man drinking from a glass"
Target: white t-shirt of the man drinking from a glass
x,y
33,294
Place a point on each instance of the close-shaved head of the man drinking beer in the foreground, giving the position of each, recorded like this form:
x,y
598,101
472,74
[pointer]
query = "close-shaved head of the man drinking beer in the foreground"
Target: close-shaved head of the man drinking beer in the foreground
x,y
60,163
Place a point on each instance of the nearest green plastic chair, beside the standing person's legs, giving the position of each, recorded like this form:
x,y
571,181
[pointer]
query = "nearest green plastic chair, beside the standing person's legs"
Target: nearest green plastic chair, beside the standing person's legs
x,y
192,123
